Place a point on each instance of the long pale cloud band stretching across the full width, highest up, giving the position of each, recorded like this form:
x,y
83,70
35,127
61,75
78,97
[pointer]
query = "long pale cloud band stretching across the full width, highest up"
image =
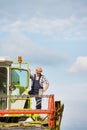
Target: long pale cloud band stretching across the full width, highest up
x,y
68,28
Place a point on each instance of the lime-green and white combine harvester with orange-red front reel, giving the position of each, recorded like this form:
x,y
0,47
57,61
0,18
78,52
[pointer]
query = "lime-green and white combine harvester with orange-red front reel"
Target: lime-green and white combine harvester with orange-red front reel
x,y
14,87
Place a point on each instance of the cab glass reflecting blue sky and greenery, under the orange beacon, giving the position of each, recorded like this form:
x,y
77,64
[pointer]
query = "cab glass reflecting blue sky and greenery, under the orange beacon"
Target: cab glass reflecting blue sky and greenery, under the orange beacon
x,y
19,79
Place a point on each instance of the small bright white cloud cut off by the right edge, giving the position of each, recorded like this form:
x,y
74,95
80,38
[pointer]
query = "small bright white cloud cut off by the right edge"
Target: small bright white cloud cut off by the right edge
x,y
80,65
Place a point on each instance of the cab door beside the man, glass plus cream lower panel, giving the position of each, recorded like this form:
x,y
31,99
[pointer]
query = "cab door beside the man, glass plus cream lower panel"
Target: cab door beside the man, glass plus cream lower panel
x,y
19,84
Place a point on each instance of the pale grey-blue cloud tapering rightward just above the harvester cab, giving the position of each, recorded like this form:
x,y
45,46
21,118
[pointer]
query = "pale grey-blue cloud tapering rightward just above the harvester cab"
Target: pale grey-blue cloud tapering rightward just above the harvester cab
x,y
18,44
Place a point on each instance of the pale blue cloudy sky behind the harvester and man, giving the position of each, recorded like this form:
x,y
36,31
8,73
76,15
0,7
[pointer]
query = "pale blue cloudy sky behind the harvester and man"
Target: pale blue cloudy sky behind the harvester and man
x,y
51,34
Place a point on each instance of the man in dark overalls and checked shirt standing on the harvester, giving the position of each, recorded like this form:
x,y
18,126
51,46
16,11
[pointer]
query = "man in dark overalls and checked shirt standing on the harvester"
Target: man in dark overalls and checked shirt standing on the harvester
x,y
39,82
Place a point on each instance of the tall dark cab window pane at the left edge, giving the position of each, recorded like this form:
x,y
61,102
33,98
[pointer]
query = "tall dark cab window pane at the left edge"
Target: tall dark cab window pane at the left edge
x,y
3,88
